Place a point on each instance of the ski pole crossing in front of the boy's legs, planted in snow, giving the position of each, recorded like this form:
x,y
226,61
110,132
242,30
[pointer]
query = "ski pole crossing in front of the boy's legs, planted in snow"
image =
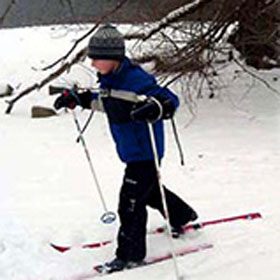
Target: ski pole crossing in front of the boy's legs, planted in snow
x,y
163,197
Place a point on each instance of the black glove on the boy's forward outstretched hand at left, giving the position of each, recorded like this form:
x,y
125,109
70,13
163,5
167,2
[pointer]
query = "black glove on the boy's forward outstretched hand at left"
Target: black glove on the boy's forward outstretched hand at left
x,y
70,99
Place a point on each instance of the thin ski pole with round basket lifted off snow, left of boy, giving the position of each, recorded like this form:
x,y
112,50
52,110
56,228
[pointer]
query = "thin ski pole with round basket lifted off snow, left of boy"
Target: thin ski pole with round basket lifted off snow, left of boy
x,y
108,217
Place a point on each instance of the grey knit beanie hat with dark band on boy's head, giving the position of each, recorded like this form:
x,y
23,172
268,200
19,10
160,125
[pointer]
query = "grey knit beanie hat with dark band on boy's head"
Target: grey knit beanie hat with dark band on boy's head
x,y
106,43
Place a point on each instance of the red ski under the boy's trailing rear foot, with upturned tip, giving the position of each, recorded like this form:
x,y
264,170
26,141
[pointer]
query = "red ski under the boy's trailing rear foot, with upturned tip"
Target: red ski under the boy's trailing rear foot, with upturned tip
x,y
159,230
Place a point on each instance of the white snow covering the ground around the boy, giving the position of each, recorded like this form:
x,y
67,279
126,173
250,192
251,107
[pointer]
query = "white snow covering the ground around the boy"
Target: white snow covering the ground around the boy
x,y
47,192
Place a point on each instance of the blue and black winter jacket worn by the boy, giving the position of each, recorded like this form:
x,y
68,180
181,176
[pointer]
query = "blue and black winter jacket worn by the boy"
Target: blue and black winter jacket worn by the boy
x,y
132,138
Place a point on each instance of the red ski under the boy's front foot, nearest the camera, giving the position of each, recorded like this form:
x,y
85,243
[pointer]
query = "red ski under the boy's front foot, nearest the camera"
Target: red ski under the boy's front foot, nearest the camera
x,y
100,270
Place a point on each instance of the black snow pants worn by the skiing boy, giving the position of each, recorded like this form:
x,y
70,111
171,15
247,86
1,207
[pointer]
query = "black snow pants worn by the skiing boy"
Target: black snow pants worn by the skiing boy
x,y
140,188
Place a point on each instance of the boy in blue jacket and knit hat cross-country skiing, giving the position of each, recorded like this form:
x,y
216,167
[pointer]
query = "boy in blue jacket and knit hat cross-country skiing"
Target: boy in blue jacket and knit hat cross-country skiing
x,y
128,125
